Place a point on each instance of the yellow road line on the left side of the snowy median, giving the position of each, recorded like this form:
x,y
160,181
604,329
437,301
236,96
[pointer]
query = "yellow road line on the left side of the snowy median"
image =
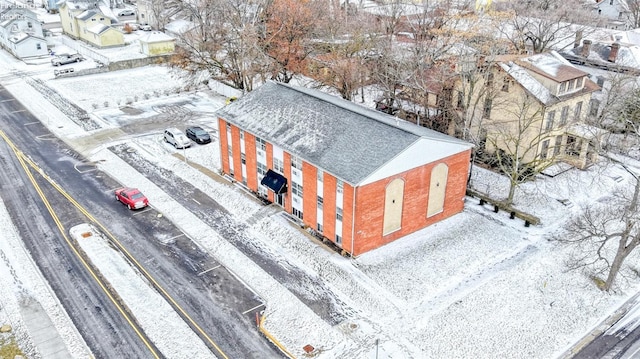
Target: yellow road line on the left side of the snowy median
x,y
22,158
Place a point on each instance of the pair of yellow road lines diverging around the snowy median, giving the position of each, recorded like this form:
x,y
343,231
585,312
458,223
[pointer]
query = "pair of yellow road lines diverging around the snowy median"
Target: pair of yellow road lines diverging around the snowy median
x,y
24,160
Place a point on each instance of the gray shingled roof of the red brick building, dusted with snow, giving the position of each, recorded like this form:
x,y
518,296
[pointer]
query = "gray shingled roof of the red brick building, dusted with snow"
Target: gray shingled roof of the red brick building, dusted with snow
x,y
341,137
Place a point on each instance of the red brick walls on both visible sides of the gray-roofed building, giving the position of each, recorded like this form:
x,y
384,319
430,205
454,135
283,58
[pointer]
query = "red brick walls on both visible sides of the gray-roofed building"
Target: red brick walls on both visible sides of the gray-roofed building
x,y
369,199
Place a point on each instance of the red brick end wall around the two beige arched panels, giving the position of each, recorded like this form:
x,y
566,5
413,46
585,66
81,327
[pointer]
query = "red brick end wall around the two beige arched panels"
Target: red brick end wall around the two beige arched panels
x,y
370,203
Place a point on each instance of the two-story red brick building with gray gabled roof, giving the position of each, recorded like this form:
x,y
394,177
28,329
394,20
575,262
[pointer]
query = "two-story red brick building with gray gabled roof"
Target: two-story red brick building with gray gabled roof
x,y
357,176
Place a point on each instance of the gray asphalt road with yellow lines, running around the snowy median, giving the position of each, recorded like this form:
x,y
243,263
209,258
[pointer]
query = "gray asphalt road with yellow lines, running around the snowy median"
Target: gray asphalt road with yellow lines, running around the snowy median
x,y
212,299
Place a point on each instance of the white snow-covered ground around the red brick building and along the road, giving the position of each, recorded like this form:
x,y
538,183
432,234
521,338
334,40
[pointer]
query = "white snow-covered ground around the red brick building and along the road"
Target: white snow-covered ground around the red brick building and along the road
x,y
478,285
